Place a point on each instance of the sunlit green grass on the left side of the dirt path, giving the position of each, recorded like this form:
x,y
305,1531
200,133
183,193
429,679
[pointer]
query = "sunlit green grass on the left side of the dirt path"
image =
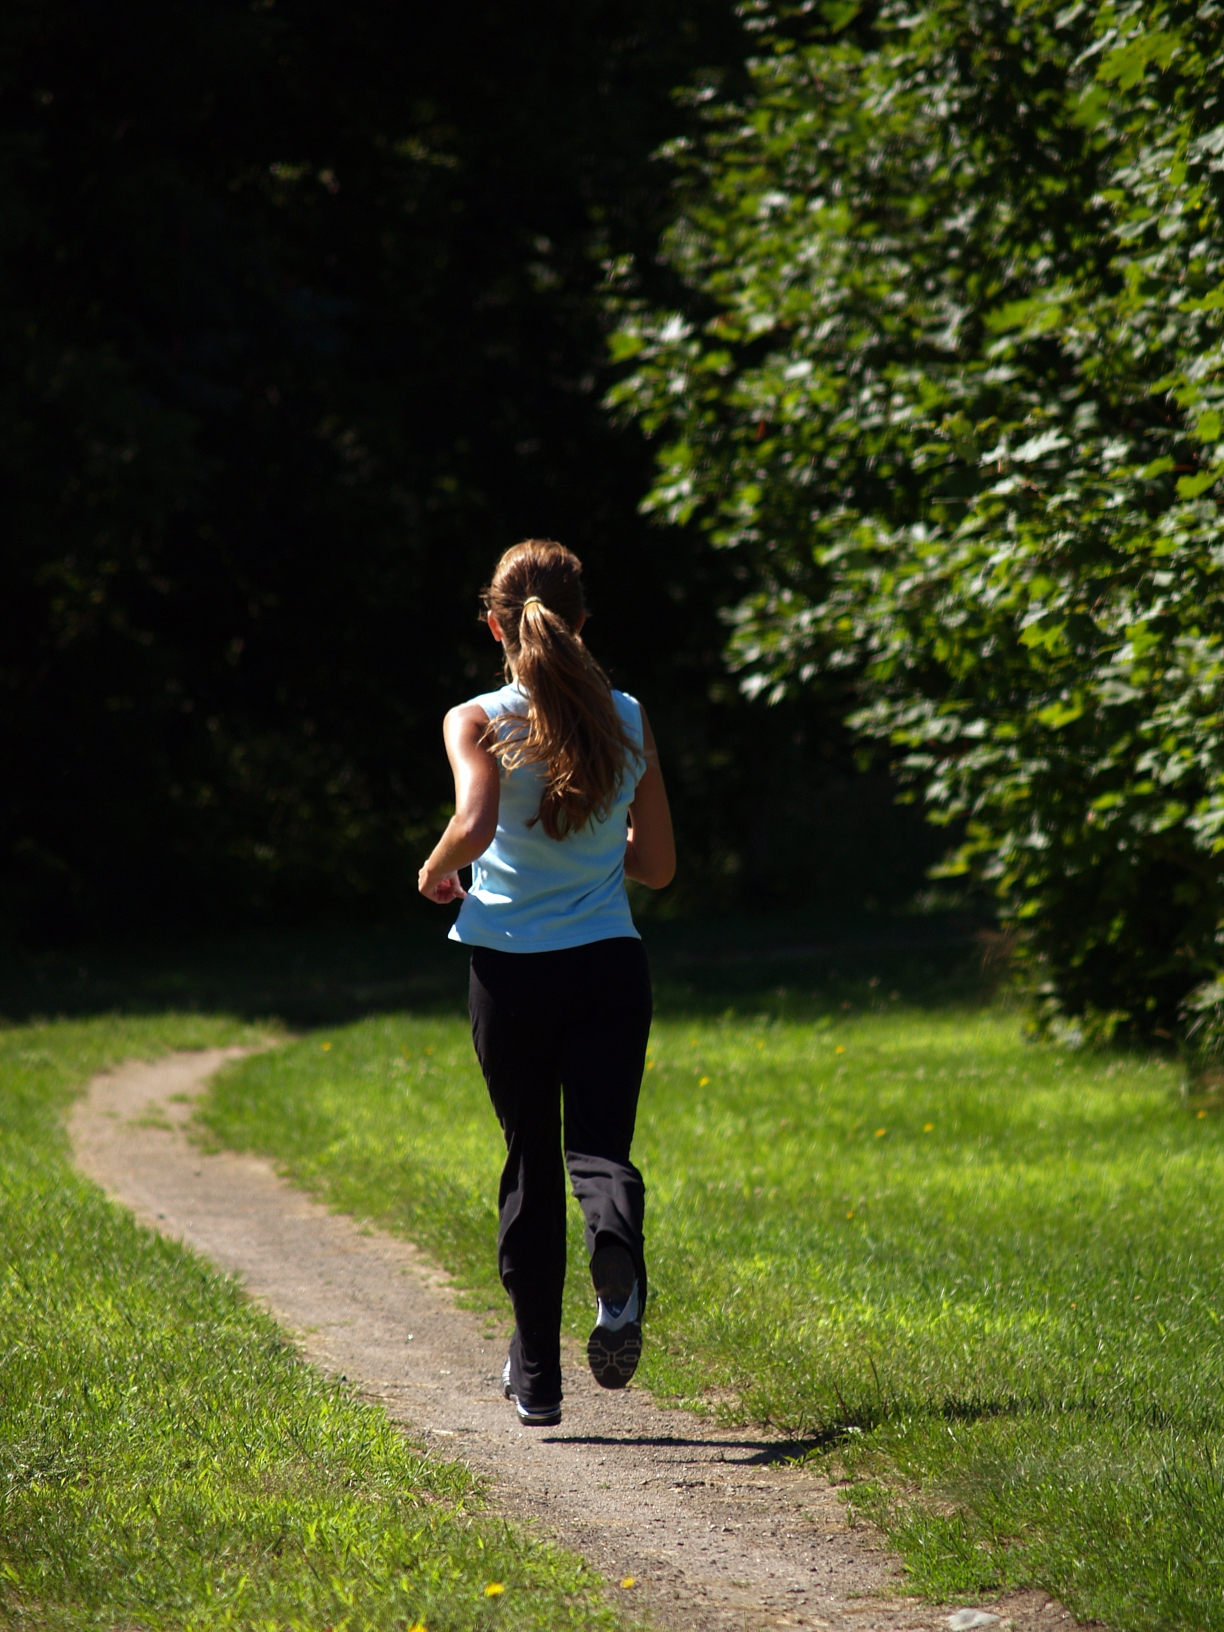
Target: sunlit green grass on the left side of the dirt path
x,y
167,1461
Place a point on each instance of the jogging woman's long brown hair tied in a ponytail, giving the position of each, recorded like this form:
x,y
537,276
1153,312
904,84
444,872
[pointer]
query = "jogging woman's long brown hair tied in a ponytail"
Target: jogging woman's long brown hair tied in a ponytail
x,y
572,725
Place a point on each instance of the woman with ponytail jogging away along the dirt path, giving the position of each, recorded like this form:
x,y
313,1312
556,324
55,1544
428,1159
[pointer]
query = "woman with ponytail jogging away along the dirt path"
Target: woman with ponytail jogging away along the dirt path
x,y
559,799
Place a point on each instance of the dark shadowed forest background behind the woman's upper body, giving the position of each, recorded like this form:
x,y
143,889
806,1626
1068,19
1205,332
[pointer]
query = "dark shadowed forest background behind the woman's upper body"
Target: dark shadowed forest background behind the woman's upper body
x,y
303,324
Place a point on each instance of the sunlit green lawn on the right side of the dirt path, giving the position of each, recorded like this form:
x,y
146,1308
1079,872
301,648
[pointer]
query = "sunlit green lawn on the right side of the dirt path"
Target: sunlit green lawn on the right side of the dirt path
x,y
982,1277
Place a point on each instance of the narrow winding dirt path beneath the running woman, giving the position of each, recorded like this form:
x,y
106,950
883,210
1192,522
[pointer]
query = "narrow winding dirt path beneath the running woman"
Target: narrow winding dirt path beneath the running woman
x,y
719,1533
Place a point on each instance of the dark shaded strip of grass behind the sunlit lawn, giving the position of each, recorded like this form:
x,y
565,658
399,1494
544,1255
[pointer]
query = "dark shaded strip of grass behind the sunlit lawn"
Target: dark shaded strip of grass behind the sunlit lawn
x,y
779,965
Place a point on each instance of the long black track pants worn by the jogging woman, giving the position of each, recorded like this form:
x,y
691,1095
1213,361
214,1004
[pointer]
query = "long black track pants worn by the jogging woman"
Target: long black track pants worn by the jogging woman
x,y
561,1029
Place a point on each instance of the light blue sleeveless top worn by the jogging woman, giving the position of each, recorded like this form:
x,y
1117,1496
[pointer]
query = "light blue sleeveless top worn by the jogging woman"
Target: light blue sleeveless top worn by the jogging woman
x,y
533,894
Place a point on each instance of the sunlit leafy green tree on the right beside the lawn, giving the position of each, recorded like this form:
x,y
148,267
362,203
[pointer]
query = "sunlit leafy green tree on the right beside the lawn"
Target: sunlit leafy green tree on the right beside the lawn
x,y
949,378
